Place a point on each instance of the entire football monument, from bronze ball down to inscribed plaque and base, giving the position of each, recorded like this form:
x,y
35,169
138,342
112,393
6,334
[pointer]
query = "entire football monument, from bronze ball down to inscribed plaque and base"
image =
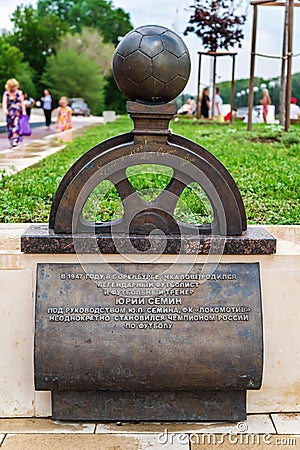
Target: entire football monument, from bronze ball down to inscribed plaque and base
x,y
149,341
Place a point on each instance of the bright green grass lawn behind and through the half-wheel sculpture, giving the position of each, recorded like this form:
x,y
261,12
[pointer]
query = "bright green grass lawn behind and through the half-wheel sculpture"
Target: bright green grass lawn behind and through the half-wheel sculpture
x,y
265,165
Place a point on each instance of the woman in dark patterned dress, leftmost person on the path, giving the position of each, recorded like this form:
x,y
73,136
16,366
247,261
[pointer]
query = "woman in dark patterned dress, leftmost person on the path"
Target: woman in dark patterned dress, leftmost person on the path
x,y
13,106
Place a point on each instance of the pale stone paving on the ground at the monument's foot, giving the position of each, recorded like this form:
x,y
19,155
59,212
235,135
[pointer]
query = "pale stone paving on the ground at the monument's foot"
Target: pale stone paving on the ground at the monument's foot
x,y
259,431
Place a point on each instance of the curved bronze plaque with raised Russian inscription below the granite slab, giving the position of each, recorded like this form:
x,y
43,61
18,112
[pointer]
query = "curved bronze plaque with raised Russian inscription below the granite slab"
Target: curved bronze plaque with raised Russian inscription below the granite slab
x,y
148,327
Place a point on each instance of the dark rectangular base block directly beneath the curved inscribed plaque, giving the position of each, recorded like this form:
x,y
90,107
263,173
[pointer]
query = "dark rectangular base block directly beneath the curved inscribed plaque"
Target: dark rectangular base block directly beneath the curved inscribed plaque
x,y
149,406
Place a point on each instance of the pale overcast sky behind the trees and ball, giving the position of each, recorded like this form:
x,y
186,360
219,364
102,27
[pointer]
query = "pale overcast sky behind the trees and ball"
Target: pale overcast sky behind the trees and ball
x,y
174,14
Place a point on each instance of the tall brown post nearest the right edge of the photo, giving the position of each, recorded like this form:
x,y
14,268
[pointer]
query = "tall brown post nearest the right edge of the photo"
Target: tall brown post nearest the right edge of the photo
x,y
288,91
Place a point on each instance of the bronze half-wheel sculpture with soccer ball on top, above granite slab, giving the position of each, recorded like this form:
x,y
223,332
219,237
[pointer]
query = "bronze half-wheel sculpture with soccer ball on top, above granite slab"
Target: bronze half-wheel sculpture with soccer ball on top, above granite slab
x,y
151,66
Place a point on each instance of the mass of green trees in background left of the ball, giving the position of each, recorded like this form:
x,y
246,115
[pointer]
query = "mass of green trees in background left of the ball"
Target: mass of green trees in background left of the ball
x,y
66,45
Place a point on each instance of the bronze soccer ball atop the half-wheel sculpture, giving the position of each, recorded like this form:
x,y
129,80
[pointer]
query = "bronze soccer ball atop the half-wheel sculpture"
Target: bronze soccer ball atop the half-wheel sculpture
x,y
151,64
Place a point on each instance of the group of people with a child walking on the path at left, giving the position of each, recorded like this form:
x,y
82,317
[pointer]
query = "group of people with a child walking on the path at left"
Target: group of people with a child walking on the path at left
x,y
15,103
